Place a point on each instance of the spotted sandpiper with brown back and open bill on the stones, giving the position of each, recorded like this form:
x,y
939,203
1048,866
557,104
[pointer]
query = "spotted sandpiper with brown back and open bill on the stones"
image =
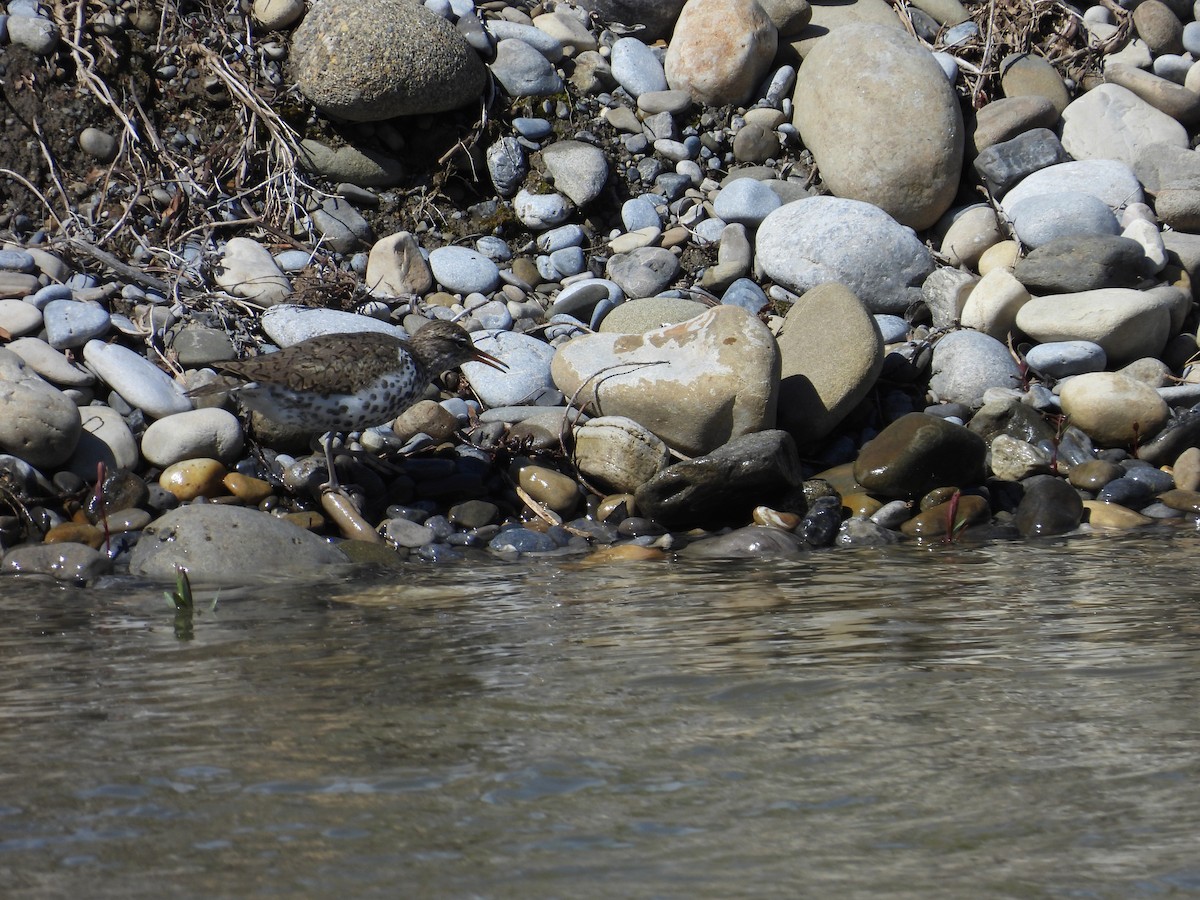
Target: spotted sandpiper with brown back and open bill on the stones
x,y
337,383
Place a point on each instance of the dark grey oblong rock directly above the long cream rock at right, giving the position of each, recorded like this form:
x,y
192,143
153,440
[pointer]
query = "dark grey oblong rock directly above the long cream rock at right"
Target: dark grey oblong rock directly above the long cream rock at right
x,y
1083,262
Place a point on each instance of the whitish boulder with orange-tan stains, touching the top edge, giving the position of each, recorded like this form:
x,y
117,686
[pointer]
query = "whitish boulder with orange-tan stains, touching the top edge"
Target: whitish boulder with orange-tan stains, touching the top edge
x,y
721,51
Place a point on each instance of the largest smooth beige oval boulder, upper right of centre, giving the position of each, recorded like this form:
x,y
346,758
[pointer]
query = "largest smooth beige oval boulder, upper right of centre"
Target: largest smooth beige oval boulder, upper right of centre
x,y
883,122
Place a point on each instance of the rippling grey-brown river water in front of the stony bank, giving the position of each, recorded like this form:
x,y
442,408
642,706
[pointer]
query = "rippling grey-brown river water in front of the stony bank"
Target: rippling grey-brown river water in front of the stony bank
x,y
1010,721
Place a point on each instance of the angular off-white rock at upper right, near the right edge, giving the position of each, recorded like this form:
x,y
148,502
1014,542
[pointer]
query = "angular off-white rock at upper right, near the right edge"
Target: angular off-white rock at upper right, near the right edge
x,y
1113,123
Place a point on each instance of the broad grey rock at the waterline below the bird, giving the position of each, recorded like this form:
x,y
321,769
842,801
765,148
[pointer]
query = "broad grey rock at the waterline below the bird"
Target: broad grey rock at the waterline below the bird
x,y
229,544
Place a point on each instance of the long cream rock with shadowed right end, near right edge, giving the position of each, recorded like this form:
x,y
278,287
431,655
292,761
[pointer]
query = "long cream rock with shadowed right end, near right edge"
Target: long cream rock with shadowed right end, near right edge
x,y
1127,323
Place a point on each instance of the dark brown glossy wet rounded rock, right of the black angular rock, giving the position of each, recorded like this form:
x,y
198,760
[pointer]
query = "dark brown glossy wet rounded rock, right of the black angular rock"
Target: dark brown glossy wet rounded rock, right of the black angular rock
x,y
919,453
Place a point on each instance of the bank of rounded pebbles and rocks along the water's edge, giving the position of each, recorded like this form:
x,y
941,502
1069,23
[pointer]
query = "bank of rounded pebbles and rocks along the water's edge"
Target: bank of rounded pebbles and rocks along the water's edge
x,y
763,278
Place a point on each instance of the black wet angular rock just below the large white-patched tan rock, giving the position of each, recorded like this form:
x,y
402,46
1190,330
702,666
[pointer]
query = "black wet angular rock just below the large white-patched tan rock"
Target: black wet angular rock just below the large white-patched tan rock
x,y
723,488
